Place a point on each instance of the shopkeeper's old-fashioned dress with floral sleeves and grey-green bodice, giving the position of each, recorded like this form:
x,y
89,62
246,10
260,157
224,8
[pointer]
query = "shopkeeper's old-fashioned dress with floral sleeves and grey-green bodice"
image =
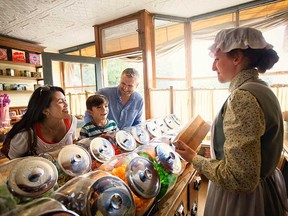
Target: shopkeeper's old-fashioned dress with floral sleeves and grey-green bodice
x,y
247,140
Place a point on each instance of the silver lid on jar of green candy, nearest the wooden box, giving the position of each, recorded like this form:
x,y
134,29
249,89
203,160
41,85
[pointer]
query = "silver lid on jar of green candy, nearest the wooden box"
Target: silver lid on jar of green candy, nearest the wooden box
x,y
168,158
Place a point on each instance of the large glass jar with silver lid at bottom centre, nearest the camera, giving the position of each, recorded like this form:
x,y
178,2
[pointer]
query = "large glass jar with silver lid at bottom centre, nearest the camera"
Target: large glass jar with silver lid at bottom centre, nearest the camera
x,y
96,193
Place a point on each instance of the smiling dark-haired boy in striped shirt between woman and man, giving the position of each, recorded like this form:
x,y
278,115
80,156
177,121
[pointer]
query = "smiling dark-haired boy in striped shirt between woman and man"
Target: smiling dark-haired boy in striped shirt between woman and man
x,y
97,107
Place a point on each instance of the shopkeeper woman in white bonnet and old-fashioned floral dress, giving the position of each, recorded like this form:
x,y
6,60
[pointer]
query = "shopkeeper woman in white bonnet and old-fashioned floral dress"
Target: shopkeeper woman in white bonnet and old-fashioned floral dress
x,y
247,134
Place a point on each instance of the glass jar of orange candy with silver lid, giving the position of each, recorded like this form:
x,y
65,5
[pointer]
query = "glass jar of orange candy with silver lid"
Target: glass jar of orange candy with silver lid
x,y
141,176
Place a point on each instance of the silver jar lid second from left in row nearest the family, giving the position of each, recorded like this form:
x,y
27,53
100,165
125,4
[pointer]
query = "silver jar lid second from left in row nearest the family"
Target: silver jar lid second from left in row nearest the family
x,y
74,160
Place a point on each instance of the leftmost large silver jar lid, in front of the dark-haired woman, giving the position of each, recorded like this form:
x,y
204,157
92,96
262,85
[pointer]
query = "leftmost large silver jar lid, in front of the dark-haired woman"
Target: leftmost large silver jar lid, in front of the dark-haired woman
x,y
32,177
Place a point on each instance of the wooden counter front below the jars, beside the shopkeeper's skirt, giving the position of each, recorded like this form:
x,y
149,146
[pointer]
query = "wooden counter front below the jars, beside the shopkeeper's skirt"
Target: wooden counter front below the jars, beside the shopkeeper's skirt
x,y
182,199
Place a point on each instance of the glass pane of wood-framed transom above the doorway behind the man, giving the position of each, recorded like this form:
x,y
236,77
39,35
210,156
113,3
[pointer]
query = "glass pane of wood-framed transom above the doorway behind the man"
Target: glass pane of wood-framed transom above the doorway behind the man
x,y
120,37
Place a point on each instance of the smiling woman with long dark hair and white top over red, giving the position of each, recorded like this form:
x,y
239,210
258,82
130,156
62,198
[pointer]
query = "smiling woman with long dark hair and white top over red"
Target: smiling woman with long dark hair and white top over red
x,y
45,127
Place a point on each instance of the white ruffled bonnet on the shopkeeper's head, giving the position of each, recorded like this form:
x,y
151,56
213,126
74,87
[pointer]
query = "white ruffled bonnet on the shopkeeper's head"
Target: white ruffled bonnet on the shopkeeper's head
x,y
239,38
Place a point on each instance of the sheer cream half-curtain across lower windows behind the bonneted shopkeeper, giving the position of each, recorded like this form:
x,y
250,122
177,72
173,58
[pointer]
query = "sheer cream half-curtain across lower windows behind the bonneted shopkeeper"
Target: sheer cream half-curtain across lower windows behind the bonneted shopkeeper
x,y
205,102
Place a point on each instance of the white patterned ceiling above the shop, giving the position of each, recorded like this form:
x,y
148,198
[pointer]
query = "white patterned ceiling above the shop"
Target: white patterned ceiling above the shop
x,y
59,24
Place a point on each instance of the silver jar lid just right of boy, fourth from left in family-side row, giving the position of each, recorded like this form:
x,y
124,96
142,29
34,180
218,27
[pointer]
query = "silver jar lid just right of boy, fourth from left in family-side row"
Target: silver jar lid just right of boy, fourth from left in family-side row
x,y
125,140
